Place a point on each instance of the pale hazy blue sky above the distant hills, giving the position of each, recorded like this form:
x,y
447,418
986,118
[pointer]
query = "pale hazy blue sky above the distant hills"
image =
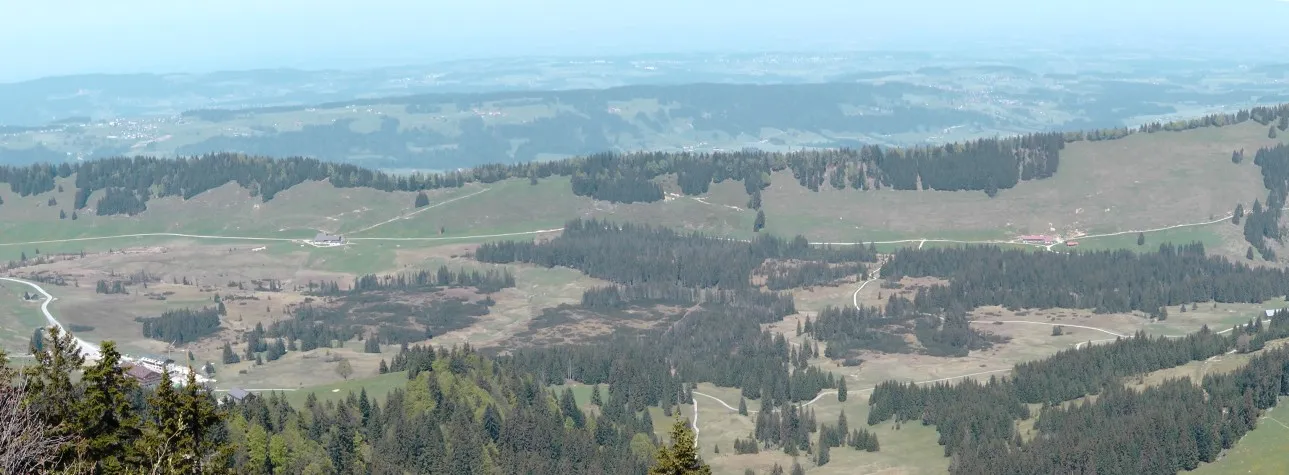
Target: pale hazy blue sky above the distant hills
x,y
42,38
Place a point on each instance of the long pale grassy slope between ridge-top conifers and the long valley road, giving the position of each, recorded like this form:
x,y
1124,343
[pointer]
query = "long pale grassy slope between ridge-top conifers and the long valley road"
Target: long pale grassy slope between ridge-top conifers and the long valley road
x,y
1143,182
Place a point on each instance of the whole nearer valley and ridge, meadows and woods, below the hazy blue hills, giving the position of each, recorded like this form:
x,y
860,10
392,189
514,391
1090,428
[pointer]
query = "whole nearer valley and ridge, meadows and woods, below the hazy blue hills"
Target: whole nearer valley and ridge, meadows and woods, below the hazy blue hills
x,y
582,277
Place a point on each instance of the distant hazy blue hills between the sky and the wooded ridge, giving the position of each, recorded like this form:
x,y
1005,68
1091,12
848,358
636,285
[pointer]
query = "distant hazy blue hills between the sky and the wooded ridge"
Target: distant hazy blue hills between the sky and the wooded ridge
x,y
690,105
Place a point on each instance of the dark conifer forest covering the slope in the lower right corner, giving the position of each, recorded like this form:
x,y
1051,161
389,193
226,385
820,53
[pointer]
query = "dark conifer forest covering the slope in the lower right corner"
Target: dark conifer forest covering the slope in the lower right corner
x,y
1159,431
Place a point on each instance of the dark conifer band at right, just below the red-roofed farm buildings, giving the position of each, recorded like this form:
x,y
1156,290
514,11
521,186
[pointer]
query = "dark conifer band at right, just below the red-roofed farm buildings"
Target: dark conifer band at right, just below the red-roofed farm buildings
x,y
1105,281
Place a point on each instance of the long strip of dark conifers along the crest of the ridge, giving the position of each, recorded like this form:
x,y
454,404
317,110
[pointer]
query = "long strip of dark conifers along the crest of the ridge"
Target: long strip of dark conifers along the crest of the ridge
x,y
987,165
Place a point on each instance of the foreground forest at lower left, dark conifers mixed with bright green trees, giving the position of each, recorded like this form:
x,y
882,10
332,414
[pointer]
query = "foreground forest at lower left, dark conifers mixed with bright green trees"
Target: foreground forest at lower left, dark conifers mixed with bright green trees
x,y
461,414
